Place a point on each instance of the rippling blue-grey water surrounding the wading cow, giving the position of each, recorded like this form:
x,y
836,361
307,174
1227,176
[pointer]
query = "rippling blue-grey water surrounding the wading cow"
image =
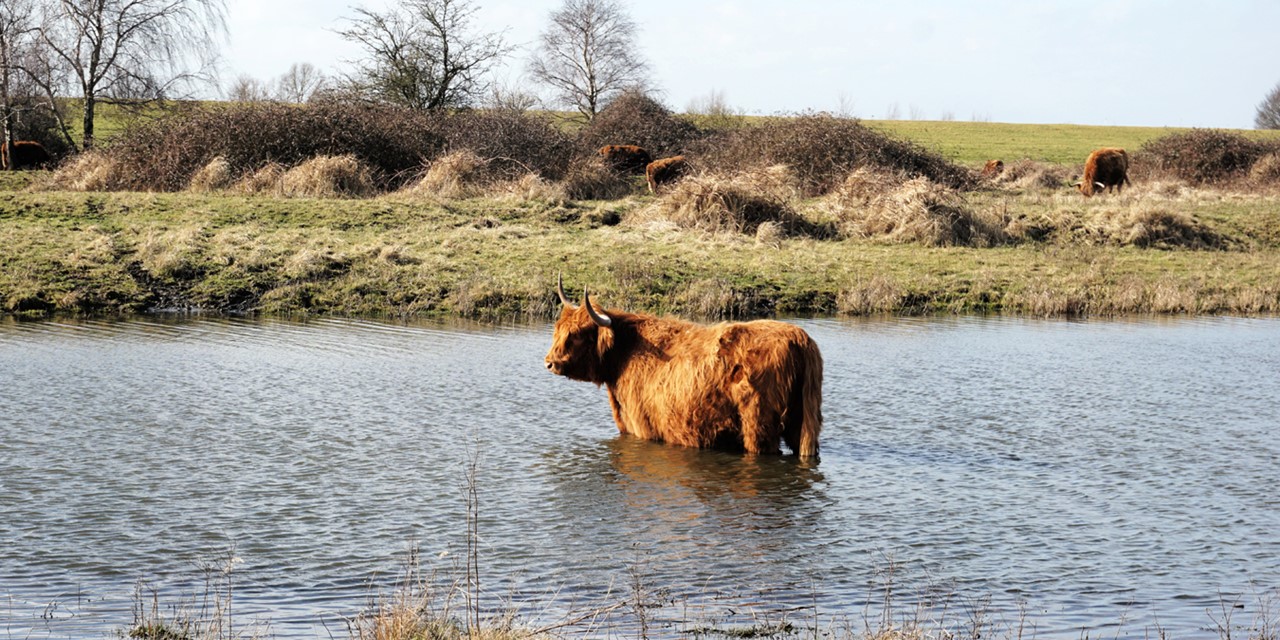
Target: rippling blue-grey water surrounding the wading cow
x,y
1104,477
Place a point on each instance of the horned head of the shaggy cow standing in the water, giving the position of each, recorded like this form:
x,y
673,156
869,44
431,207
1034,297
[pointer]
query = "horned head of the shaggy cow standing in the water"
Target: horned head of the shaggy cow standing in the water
x,y
582,341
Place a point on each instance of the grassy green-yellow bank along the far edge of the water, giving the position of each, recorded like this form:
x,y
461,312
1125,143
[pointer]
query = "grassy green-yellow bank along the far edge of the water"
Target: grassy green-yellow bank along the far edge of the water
x,y
497,259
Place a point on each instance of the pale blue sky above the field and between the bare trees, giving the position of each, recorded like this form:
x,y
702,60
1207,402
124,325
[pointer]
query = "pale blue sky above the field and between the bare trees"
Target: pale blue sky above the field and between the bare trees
x,y
1177,63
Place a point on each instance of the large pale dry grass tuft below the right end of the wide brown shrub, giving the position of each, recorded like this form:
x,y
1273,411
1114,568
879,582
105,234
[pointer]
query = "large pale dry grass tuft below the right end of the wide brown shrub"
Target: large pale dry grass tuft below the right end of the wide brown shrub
x,y
872,204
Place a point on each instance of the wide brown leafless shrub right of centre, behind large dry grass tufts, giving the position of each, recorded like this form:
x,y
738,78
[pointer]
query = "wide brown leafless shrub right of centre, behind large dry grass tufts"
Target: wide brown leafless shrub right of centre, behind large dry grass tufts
x,y
822,150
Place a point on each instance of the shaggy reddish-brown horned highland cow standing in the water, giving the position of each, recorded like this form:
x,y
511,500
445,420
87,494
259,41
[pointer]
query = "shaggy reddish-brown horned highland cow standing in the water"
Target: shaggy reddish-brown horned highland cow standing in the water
x,y
734,386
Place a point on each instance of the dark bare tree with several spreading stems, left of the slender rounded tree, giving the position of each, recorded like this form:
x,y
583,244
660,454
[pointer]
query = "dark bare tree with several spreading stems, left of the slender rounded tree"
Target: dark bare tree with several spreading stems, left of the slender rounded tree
x,y
423,54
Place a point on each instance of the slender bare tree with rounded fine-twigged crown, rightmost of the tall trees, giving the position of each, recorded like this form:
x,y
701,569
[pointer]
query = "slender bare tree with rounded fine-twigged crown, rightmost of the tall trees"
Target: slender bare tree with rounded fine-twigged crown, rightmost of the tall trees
x,y
588,54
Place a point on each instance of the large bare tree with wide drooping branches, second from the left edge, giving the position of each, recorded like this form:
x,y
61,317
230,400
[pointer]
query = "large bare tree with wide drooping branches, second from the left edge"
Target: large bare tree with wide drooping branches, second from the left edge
x,y
130,49
